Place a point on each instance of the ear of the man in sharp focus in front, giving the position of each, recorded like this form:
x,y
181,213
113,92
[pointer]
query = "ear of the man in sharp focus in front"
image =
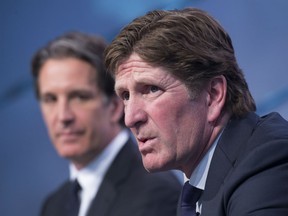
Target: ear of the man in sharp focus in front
x,y
217,89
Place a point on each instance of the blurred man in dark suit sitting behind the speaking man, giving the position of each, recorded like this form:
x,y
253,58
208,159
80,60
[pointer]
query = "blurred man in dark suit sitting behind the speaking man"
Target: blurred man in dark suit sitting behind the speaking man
x,y
83,117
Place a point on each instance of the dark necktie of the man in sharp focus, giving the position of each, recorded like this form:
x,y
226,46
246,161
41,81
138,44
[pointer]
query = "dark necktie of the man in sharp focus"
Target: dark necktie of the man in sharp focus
x,y
190,195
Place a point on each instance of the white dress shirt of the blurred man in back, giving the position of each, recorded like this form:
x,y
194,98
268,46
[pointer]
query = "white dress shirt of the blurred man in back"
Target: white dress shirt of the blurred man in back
x,y
91,176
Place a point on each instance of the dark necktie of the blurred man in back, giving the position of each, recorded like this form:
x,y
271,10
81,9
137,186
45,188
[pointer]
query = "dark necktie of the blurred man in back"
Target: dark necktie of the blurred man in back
x,y
73,204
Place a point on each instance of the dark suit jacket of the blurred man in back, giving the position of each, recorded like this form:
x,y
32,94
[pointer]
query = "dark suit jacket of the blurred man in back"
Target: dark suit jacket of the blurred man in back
x,y
127,189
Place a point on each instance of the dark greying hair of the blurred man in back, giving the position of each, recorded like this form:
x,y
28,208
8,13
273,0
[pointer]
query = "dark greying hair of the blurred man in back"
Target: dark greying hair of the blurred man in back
x,y
83,46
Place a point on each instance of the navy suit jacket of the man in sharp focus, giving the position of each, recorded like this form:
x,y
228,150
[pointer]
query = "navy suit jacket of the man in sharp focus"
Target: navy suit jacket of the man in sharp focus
x,y
249,169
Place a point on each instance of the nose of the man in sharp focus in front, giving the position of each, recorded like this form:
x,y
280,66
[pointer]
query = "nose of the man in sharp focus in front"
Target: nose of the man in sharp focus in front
x,y
135,114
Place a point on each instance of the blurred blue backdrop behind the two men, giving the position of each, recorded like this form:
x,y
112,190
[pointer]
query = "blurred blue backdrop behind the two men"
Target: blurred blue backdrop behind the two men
x,y
29,166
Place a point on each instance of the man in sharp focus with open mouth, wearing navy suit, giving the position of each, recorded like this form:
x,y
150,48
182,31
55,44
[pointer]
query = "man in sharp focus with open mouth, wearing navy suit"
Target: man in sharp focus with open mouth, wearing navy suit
x,y
189,106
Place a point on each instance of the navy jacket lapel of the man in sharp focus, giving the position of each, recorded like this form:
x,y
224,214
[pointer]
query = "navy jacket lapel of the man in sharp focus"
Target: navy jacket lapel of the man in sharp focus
x,y
230,146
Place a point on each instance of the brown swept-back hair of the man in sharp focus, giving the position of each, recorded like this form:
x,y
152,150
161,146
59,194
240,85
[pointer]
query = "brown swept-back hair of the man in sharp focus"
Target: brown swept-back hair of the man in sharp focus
x,y
191,45
